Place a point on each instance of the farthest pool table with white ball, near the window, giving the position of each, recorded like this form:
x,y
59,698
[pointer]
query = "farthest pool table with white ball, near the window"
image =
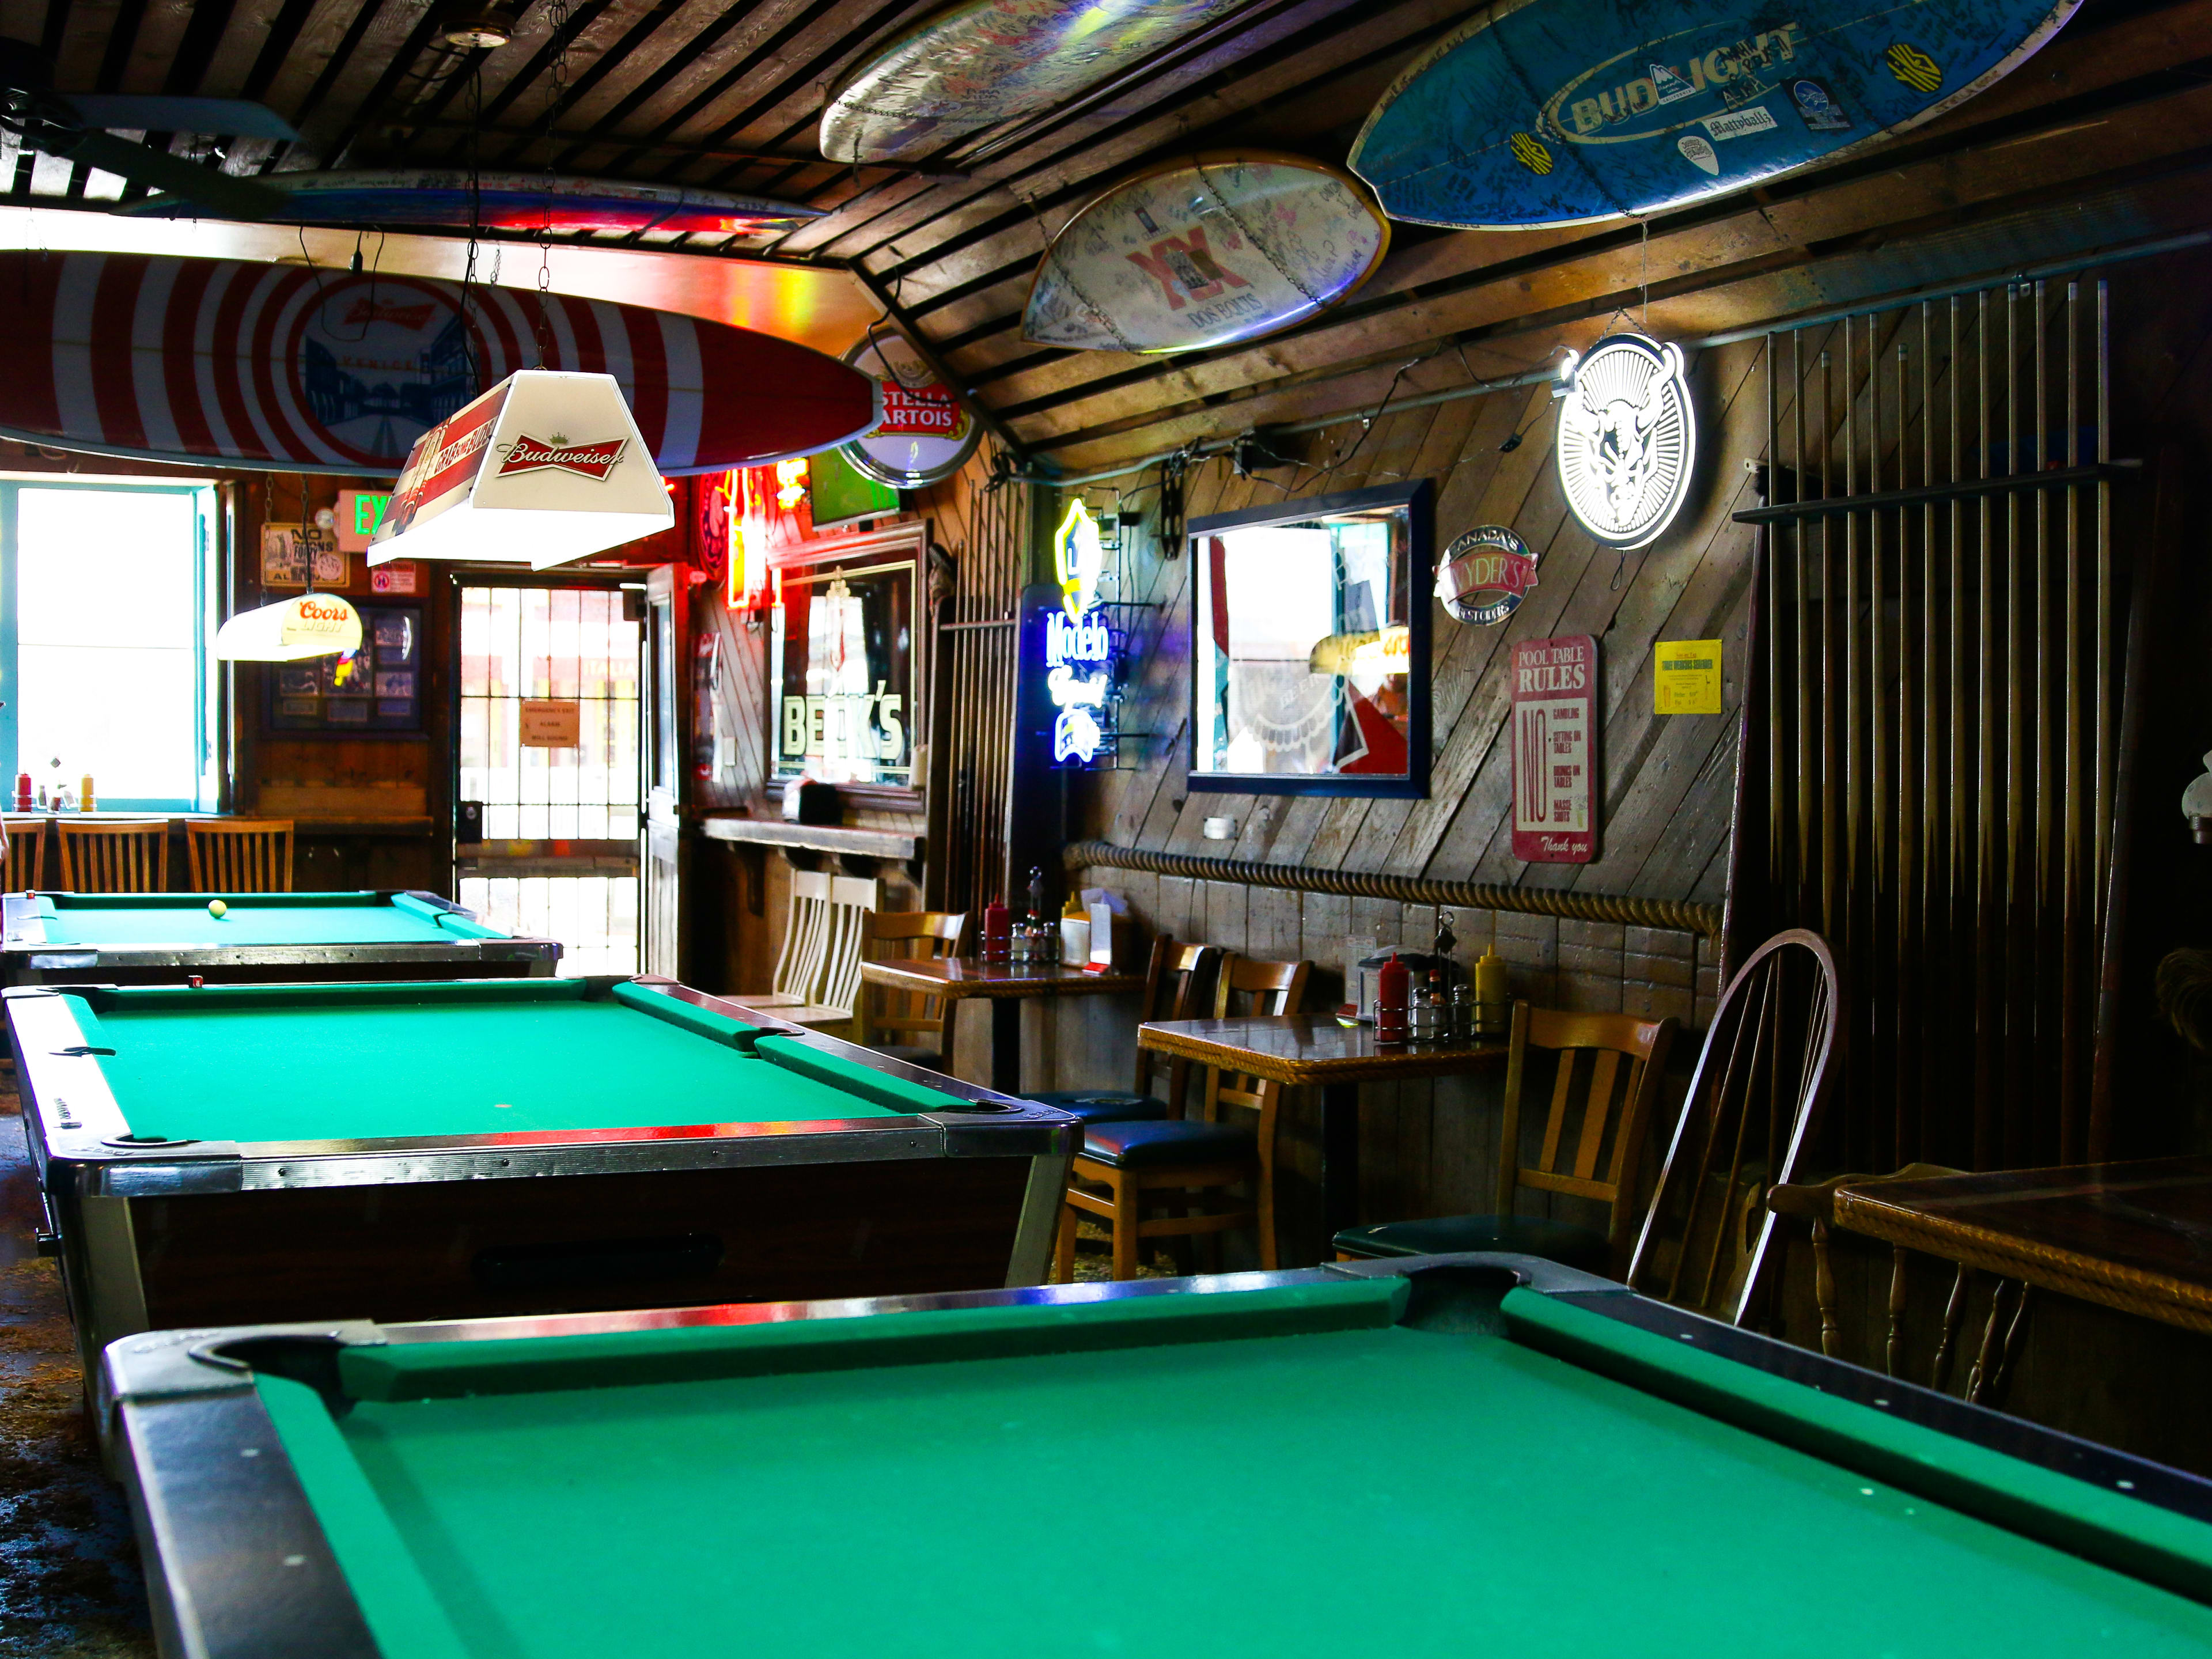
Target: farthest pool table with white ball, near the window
x,y
167,939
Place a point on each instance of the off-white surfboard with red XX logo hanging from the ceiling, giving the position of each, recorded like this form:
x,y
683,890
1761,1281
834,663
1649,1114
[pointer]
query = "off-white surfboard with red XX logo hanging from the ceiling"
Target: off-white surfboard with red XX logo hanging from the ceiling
x,y
1204,251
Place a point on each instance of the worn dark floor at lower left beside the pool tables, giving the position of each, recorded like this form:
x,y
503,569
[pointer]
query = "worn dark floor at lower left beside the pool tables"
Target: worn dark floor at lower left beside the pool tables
x,y
70,1583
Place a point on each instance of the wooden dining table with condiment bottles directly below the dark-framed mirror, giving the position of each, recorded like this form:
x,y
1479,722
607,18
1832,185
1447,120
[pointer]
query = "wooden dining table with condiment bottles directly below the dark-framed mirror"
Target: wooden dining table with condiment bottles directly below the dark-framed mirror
x,y
1322,1052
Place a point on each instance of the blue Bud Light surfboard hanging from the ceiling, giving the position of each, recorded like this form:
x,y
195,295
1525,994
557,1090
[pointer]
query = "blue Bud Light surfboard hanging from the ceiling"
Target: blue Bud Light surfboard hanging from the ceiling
x,y
1561,112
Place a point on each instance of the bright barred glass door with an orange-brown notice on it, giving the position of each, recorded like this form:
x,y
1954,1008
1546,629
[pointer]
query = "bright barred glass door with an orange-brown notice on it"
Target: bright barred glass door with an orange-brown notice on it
x,y
550,764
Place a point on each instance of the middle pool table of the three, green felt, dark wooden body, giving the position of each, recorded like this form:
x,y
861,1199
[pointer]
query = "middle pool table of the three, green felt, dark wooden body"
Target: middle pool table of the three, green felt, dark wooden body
x,y
501,1147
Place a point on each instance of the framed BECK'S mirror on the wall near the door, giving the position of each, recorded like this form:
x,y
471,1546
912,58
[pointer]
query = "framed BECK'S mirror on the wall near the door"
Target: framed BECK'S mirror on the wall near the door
x,y
846,660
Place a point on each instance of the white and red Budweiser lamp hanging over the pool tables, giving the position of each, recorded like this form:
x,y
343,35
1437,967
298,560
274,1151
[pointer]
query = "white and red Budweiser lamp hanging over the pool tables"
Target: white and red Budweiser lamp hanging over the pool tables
x,y
541,470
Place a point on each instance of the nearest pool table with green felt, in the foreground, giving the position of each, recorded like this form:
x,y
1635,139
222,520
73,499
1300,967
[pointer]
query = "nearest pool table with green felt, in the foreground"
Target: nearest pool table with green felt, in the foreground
x,y
1419,1459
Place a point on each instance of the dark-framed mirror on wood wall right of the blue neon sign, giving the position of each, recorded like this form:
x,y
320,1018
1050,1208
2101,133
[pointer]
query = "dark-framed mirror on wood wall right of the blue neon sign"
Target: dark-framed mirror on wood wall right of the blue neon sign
x,y
1311,645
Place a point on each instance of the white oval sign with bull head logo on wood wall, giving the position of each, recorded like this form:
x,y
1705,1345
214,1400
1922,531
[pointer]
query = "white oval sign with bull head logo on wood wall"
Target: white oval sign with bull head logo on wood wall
x,y
1627,439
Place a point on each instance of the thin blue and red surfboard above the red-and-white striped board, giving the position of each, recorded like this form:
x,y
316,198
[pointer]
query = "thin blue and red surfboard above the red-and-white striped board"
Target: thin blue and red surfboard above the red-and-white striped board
x,y
505,202
